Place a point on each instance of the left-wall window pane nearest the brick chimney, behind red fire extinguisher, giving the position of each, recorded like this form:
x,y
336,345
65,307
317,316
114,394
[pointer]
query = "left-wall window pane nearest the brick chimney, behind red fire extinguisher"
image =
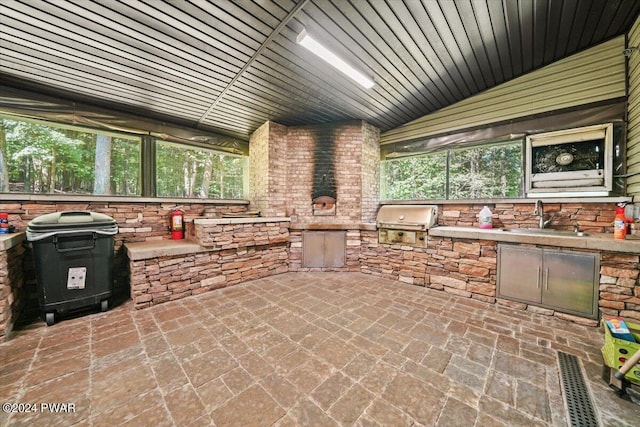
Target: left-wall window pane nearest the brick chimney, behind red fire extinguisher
x,y
197,172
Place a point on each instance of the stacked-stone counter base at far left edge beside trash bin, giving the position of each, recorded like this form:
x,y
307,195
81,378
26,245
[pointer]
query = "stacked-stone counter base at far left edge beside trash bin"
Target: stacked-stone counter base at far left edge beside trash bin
x,y
12,293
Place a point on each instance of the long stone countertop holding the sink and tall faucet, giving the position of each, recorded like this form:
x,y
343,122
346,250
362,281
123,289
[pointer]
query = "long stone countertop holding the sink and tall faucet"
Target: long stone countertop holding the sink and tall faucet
x,y
596,241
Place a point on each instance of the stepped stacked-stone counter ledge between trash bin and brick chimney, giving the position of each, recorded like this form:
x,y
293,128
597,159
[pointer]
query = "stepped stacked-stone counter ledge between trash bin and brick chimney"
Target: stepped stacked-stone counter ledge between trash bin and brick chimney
x,y
165,270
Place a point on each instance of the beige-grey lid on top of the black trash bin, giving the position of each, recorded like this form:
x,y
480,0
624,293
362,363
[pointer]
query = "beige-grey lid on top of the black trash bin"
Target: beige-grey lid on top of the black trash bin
x,y
71,220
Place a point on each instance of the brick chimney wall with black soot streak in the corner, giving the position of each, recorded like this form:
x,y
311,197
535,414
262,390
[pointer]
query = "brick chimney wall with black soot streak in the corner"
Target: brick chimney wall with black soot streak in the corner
x,y
283,170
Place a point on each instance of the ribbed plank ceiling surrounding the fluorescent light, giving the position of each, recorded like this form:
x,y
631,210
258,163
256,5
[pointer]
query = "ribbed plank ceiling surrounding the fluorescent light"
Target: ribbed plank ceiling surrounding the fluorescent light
x,y
229,66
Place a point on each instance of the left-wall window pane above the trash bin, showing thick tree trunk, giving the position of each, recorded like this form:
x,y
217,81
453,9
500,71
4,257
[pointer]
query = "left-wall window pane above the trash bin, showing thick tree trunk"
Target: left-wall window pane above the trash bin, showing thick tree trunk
x,y
40,157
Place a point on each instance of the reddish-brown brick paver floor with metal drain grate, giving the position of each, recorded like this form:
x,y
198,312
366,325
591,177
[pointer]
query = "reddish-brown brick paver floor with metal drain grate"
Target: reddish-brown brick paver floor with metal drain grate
x,y
309,349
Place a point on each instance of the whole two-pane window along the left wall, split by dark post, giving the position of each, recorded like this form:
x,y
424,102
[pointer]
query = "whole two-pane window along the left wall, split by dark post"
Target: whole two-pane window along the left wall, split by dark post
x,y
40,157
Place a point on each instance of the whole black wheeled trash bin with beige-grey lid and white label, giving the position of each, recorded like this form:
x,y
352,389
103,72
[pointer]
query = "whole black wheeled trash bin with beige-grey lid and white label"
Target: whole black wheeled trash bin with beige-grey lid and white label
x,y
73,253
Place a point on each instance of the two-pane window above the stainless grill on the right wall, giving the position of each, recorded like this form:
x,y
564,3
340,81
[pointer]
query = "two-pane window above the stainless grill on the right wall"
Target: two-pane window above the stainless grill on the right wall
x,y
488,171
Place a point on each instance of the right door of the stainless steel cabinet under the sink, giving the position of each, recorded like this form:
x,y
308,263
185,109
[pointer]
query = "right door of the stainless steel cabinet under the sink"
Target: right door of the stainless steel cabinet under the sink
x,y
568,281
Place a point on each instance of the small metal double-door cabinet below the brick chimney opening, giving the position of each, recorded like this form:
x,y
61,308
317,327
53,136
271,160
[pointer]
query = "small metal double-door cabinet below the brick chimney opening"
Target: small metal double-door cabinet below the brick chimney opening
x,y
324,249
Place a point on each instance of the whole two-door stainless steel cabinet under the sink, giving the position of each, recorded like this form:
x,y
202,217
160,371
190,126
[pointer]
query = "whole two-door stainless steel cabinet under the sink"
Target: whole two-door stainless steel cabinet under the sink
x,y
565,281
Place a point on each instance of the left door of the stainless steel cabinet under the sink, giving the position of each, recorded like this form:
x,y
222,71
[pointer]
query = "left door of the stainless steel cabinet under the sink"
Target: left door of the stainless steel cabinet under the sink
x,y
519,270
